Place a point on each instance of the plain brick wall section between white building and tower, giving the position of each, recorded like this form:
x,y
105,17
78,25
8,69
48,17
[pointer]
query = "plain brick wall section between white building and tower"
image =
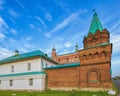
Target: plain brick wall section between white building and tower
x,y
63,77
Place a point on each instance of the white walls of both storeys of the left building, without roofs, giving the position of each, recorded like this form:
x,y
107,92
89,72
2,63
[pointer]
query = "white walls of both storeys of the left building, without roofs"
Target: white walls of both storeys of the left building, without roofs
x,y
22,82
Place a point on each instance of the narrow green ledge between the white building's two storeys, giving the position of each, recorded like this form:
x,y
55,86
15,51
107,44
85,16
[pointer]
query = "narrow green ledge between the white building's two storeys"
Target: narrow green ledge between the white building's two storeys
x,y
22,74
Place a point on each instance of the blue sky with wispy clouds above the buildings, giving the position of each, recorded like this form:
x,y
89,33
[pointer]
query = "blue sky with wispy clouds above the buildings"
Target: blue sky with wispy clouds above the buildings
x,y
28,25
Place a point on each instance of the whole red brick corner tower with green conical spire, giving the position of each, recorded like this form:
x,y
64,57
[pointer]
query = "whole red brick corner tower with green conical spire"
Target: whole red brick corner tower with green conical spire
x,y
95,58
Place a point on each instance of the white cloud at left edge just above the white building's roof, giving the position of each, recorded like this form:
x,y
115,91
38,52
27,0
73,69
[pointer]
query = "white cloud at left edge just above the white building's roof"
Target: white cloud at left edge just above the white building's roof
x,y
5,53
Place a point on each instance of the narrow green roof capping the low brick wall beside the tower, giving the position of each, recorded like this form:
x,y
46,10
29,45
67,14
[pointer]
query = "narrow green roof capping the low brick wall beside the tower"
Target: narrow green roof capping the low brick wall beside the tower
x,y
64,65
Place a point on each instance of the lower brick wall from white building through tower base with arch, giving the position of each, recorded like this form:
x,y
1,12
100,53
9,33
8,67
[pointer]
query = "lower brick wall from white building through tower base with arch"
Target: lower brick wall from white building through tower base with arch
x,y
80,77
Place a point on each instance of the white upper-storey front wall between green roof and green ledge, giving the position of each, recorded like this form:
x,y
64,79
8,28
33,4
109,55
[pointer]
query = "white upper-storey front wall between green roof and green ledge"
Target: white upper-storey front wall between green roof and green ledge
x,y
21,66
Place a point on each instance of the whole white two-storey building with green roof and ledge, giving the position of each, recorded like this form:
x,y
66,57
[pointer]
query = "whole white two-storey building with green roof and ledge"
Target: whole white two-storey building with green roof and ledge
x,y
25,71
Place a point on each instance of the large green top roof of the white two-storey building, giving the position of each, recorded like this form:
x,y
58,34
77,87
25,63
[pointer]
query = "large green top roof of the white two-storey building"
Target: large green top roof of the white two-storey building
x,y
24,56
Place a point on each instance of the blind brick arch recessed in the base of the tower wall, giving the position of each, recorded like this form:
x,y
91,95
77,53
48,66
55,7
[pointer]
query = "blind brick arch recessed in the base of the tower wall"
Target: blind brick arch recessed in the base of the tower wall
x,y
93,78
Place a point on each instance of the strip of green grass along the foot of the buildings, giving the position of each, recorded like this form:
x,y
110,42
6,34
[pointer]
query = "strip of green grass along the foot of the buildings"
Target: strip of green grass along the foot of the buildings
x,y
53,93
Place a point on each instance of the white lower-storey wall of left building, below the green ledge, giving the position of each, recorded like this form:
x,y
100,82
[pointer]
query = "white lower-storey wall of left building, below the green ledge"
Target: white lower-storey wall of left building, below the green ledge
x,y
22,83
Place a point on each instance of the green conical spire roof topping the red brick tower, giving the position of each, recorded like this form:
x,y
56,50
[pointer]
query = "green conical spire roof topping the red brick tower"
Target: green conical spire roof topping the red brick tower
x,y
95,24
